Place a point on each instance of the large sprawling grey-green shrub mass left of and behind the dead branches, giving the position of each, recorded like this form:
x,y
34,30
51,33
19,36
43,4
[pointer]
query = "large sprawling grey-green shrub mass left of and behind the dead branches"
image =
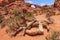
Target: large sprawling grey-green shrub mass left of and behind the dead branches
x,y
16,20
